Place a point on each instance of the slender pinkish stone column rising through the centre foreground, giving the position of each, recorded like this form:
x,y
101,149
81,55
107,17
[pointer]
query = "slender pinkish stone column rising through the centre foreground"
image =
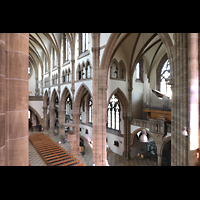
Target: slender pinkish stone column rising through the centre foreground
x,y
99,107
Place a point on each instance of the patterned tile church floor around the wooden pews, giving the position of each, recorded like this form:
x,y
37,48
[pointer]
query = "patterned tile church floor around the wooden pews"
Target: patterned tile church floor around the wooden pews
x,y
87,158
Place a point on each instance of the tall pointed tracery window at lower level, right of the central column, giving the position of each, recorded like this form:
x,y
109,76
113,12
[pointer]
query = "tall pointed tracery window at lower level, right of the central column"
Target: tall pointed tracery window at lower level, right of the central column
x,y
113,113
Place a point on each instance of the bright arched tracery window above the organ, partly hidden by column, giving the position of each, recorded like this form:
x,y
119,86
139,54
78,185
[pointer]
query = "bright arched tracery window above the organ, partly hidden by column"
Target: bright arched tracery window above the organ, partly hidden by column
x,y
164,79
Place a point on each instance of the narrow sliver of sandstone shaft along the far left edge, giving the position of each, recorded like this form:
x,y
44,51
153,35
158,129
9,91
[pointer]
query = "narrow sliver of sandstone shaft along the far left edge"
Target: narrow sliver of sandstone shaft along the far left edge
x,y
2,99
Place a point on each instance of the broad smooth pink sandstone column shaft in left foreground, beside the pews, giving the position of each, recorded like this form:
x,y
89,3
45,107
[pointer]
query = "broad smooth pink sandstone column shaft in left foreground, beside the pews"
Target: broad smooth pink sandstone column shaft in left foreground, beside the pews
x,y
17,61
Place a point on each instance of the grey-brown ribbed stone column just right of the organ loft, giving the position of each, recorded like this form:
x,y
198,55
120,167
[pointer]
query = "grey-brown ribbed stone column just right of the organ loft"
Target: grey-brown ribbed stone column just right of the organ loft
x,y
180,99
